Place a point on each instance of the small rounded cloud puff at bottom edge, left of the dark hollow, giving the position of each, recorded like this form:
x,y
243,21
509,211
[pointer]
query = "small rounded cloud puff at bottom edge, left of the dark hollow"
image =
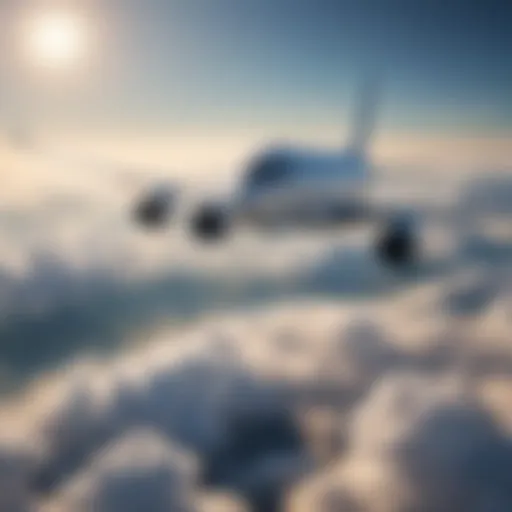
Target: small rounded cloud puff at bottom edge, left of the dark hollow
x,y
140,471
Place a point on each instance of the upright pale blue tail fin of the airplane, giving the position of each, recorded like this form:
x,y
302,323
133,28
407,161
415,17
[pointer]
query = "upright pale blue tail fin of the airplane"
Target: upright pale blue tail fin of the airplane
x,y
365,115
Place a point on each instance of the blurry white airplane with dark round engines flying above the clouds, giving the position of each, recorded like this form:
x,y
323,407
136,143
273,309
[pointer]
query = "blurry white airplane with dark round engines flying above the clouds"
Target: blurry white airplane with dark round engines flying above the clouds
x,y
294,186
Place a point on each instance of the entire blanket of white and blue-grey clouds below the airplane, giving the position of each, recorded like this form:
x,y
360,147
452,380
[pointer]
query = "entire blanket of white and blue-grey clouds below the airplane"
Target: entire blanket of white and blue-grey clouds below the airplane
x,y
346,405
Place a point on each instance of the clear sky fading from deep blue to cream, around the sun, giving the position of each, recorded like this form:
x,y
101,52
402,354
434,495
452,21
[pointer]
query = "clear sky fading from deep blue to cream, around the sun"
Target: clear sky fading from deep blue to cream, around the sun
x,y
231,65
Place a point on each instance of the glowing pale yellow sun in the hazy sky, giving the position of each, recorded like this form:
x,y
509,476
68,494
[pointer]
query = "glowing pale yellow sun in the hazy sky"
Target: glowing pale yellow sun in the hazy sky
x,y
56,40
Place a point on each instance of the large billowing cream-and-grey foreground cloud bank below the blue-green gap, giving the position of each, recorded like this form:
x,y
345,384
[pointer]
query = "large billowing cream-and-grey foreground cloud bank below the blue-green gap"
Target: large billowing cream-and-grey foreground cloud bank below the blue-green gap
x,y
394,419
